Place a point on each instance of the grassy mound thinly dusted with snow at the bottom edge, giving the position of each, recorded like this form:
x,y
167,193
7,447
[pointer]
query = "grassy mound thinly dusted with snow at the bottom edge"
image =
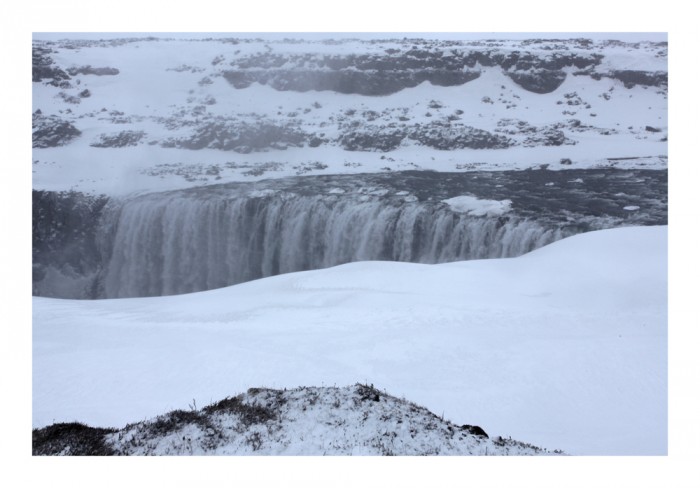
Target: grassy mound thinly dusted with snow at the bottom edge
x,y
356,420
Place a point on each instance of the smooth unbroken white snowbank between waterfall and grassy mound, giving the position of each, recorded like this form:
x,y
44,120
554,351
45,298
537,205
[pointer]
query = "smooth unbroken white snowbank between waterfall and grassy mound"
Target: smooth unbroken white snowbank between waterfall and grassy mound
x,y
565,347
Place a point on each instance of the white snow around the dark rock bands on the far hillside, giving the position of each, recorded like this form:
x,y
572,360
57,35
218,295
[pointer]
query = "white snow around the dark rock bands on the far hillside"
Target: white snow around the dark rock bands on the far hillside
x,y
160,80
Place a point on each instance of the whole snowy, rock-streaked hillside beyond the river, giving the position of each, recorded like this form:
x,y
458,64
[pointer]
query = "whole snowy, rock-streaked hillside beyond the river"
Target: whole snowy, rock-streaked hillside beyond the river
x,y
142,114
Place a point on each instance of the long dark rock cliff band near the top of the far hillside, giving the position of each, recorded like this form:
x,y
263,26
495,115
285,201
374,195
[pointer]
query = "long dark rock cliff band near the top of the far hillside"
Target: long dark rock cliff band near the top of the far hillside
x,y
378,75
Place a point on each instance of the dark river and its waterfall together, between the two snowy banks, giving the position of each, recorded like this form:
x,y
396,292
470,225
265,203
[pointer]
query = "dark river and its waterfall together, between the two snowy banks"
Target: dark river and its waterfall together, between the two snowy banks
x,y
208,237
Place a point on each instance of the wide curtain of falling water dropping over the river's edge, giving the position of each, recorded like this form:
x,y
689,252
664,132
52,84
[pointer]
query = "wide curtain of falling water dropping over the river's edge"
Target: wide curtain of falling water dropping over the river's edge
x,y
181,242
